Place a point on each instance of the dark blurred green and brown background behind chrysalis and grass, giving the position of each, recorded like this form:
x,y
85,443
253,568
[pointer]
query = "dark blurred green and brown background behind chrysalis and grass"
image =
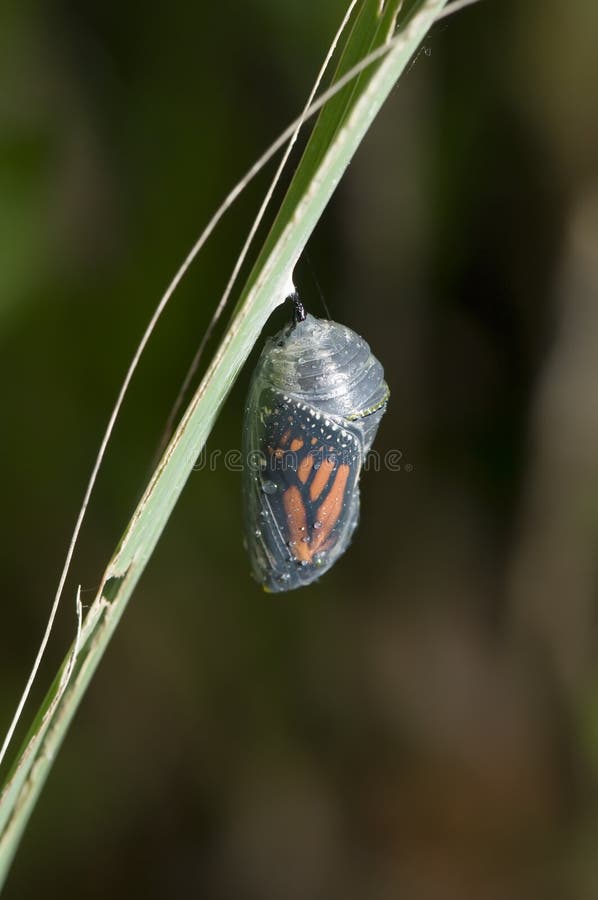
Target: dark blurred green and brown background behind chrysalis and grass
x,y
423,722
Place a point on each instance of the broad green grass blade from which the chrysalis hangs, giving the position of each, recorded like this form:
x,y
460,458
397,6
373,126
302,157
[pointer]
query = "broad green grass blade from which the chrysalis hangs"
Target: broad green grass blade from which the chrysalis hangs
x,y
340,128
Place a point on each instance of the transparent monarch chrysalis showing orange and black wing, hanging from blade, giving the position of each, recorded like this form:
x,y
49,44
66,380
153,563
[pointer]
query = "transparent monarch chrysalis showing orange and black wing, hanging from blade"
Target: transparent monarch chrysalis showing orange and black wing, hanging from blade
x,y
314,405
